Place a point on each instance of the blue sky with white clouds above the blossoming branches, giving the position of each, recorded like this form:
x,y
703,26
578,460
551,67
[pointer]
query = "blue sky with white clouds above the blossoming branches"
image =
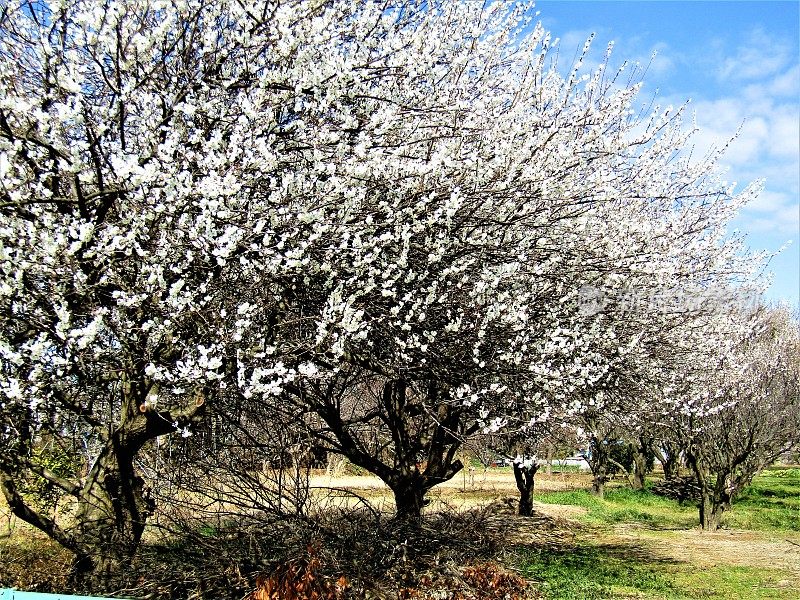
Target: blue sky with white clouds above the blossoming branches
x,y
739,63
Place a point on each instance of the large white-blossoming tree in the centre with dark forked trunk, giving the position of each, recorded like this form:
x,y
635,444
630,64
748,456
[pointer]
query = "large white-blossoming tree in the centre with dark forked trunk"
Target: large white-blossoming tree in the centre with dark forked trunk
x,y
457,275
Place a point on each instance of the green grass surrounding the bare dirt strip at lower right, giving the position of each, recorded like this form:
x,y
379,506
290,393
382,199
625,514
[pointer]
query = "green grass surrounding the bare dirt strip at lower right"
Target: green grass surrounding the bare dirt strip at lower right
x,y
590,569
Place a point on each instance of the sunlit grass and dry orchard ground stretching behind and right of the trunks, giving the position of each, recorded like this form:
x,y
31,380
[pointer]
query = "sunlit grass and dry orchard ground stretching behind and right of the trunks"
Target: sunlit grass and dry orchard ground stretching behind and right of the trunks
x,y
626,543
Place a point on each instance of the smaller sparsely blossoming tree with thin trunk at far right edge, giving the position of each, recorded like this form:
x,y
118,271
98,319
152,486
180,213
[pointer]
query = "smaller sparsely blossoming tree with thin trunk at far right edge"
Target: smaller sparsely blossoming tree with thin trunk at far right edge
x,y
744,414
